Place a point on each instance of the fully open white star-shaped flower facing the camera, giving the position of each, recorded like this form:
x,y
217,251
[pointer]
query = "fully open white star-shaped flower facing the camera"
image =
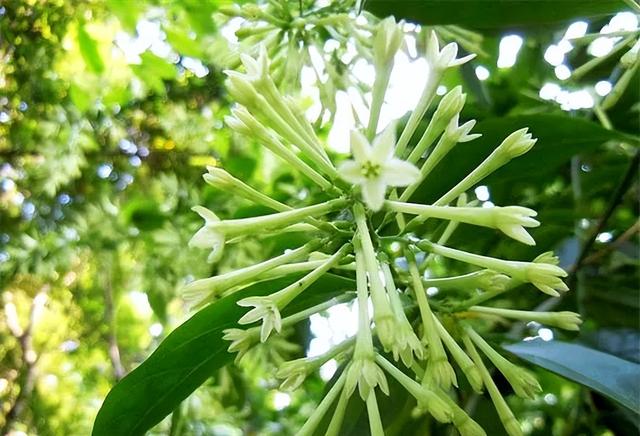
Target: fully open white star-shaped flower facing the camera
x,y
375,168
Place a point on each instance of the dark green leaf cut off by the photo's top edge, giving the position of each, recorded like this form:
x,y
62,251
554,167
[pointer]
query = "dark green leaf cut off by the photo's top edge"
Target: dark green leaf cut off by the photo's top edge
x,y
492,14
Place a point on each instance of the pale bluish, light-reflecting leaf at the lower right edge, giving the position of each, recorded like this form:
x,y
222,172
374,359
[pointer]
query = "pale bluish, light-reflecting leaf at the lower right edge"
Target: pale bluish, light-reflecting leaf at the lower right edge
x,y
611,376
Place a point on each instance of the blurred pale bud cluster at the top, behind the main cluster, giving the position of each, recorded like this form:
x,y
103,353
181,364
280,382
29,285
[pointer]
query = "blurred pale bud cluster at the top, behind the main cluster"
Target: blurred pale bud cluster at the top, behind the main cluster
x,y
295,37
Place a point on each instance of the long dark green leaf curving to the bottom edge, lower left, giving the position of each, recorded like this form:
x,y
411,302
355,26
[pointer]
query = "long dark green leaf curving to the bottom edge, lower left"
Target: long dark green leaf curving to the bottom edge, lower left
x,y
190,355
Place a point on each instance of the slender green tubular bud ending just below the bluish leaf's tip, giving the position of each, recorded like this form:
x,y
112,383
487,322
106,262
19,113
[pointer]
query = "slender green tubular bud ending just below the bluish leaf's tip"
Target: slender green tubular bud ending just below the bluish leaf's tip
x,y
523,383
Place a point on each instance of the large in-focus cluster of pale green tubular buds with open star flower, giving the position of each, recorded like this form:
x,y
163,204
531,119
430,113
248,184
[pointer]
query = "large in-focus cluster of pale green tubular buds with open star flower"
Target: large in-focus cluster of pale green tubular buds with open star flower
x,y
405,325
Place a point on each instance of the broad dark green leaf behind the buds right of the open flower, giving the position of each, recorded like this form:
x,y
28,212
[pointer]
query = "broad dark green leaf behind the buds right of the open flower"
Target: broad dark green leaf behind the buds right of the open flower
x,y
559,138
